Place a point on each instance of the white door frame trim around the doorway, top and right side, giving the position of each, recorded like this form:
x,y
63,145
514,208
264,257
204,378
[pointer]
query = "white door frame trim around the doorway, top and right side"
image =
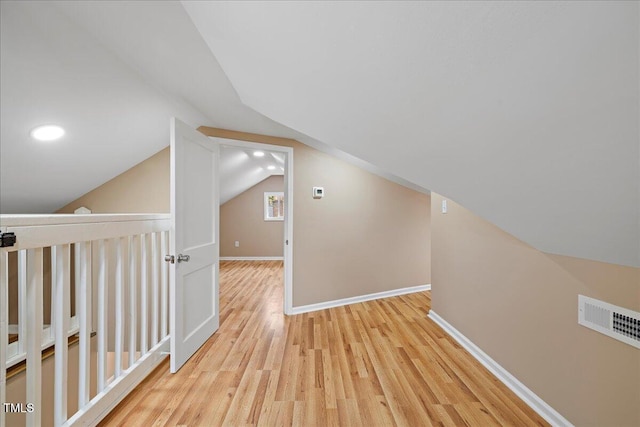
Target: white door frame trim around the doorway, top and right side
x,y
288,217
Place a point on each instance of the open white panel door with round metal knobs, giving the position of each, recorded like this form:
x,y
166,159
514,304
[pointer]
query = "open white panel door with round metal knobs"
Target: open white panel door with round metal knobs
x,y
194,241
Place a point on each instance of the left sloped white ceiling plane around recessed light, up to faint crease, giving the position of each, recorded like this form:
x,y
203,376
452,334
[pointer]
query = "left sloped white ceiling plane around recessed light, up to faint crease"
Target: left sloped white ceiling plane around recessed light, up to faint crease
x,y
53,71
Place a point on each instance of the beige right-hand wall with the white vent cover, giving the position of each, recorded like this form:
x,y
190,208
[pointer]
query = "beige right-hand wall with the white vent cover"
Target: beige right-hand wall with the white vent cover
x,y
519,305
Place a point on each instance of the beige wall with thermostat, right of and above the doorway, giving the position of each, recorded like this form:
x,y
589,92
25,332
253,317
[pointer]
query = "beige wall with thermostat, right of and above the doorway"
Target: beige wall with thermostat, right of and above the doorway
x,y
366,235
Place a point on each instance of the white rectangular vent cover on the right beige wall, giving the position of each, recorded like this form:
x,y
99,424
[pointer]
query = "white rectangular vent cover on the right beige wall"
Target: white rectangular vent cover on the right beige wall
x,y
617,322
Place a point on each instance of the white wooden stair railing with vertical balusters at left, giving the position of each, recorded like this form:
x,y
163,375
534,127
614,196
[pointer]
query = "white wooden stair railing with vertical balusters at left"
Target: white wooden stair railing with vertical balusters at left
x,y
120,287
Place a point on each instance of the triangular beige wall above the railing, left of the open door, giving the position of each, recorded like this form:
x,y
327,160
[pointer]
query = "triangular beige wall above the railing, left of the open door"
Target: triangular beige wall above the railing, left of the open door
x,y
142,189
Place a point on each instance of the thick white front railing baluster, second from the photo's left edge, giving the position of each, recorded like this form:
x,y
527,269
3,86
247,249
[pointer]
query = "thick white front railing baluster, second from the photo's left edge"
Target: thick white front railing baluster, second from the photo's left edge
x,y
33,339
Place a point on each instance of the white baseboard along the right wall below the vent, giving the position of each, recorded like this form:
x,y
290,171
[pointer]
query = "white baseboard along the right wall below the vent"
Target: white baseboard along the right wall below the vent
x,y
552,416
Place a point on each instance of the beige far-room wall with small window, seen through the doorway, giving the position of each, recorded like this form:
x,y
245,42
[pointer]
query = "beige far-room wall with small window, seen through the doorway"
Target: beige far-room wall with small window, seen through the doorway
x,y
242,219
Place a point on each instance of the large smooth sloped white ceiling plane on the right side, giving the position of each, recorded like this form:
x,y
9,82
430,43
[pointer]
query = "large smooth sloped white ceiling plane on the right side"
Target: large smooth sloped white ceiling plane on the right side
x,y
526,113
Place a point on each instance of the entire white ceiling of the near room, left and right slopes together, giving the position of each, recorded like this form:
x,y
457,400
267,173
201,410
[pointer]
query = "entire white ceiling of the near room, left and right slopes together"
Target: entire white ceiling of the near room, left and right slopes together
x,y
524,112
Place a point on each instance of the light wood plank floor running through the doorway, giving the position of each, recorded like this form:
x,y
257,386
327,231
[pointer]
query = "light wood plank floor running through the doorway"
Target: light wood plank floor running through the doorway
x,y
372,364
